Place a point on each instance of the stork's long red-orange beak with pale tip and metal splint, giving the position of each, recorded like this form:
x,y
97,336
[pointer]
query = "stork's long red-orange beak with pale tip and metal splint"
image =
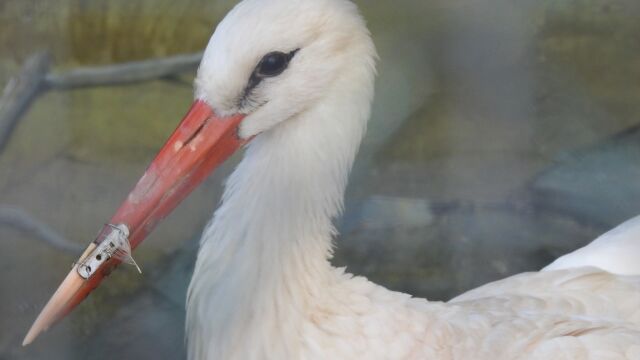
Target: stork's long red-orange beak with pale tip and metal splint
x,y
201,142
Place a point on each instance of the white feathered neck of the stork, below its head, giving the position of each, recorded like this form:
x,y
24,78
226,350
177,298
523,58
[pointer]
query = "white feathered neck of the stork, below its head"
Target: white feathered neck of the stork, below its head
x,y
263,260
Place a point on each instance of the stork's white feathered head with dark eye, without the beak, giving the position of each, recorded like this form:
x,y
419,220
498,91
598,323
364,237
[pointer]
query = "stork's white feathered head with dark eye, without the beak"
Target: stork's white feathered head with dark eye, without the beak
x,y
272,59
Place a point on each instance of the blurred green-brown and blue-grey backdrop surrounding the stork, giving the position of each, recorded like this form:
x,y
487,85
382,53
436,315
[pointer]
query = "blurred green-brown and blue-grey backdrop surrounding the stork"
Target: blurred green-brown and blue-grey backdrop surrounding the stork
x,y
504,134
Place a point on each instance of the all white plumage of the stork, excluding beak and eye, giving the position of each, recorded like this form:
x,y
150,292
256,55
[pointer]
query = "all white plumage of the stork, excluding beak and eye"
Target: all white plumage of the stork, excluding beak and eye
x,y
263,287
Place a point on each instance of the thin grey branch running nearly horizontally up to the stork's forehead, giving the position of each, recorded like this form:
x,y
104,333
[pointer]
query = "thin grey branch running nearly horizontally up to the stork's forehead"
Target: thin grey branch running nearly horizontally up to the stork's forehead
x,y
125,73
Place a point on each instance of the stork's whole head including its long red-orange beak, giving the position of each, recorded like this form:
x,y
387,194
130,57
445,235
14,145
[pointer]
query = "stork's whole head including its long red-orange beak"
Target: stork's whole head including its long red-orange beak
x,y
267,62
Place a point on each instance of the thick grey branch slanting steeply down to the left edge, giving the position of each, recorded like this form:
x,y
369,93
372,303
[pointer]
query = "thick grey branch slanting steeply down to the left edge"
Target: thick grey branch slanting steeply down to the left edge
x,y
20,92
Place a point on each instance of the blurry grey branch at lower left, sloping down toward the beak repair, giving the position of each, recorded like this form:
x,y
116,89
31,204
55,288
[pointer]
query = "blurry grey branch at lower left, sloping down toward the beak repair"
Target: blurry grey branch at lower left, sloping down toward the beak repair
x,y
19,219
